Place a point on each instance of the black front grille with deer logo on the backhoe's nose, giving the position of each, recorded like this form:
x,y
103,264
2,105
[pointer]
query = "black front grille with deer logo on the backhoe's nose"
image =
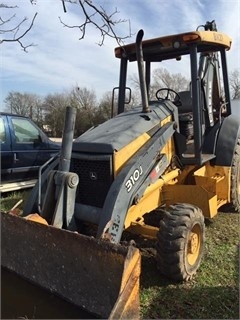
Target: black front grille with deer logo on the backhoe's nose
x,y
95,178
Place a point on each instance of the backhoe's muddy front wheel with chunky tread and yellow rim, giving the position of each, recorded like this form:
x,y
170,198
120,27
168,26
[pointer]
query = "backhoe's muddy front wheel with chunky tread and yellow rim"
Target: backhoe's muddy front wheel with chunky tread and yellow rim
x,y
180,242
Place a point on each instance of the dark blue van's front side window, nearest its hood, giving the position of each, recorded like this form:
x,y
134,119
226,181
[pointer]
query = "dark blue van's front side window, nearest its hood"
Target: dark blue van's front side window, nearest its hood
x,y
25,131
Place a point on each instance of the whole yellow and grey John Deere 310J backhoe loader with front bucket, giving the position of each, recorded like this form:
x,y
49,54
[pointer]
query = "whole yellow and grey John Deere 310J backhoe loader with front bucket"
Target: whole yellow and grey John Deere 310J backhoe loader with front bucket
x,y
175,157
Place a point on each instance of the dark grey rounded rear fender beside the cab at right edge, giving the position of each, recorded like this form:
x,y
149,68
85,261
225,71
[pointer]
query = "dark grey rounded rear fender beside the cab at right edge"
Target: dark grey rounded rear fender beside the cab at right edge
x,y
227,139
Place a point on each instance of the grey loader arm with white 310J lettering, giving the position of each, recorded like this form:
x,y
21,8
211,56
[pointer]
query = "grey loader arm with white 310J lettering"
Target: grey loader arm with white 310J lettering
x,y
132,182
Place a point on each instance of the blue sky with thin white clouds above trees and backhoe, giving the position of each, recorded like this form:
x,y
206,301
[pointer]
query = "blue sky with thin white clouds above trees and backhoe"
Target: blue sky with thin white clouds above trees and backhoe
x,y
60,61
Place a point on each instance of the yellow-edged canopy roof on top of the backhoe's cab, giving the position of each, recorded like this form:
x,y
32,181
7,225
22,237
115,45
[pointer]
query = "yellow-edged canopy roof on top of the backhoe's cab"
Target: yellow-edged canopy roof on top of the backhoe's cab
x,y
174,46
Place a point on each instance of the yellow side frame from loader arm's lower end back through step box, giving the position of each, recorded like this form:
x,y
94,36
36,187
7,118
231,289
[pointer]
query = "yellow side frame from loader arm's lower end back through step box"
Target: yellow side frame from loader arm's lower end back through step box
x,y
209,190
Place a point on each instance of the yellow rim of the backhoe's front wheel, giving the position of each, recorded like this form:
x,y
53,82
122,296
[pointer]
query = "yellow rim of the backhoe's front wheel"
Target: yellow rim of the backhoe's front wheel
x,y
194,244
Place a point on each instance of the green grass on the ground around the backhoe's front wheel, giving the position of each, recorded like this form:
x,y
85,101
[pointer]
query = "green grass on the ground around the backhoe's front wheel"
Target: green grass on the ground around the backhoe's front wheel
x,y
212,294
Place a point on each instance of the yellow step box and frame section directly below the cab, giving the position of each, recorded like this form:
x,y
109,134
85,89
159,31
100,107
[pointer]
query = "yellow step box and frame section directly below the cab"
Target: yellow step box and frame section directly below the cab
x,y
209,190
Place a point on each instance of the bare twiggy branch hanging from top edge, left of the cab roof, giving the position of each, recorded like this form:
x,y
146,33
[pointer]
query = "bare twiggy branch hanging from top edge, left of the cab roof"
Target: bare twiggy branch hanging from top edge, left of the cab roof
x,y
99,18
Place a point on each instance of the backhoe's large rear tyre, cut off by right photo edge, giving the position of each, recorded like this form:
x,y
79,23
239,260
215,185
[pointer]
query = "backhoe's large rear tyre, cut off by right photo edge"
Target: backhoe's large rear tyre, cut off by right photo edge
x,y
235,177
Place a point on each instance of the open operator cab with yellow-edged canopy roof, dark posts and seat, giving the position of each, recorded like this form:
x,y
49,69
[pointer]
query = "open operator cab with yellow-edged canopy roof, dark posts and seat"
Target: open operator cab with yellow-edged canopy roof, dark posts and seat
x,y
203,103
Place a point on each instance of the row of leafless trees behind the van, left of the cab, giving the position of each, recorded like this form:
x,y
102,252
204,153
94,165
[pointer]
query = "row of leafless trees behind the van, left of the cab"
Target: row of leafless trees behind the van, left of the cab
x,y
49,112
